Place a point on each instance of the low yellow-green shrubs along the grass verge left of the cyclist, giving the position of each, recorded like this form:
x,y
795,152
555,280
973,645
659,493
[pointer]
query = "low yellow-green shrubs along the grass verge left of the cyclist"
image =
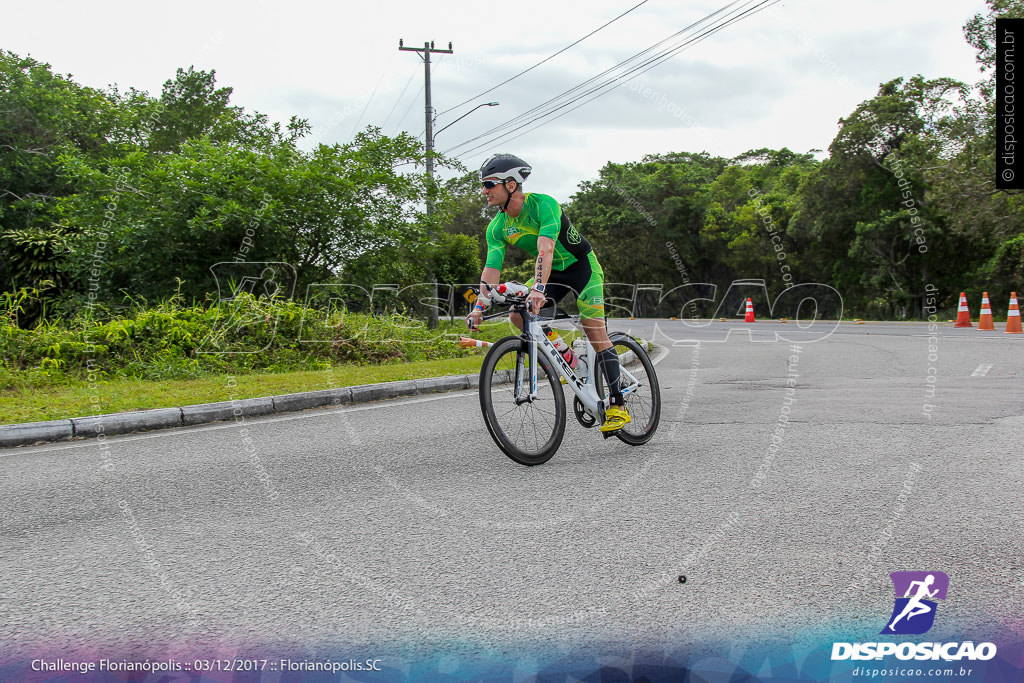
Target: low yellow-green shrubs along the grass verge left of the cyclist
x,y
244,335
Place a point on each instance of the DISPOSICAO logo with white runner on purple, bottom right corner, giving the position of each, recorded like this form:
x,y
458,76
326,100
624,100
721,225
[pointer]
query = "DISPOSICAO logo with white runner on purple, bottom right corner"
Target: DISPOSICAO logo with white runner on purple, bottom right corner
x,y
914,614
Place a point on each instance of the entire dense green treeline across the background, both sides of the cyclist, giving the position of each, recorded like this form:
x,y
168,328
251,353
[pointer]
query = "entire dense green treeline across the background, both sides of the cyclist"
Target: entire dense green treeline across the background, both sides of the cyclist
x,y
110,198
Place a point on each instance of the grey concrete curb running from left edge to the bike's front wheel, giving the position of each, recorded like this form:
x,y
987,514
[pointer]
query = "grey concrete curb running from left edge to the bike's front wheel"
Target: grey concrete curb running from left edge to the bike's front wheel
x,y
31,434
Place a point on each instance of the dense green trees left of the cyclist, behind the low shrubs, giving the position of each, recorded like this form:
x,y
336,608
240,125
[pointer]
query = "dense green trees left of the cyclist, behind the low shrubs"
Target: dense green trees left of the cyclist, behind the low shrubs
x,y
109,197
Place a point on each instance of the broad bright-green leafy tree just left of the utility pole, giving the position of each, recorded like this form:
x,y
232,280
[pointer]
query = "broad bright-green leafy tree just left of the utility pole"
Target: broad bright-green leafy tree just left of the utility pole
x,y
156,220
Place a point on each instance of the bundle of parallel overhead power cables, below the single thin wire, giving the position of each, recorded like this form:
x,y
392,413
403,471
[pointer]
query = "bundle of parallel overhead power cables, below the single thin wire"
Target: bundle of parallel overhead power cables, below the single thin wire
x,y
625,74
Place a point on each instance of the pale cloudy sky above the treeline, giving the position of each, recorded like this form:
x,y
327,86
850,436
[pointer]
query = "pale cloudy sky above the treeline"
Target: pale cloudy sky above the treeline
x,y
780,78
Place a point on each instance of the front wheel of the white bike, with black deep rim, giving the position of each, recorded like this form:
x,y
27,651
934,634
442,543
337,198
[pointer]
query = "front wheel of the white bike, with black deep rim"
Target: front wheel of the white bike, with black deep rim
x,y
528,431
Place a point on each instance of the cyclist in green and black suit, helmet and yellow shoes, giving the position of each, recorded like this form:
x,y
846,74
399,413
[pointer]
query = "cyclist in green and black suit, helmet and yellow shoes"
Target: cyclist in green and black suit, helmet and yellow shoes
x,y
566,263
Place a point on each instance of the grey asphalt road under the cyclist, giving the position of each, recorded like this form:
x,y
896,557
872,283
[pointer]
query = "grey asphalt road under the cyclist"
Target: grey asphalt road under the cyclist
x,y
401,525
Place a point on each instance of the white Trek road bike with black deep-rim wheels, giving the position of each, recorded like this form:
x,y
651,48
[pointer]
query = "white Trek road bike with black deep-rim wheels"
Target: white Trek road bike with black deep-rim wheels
x,y
527,417
